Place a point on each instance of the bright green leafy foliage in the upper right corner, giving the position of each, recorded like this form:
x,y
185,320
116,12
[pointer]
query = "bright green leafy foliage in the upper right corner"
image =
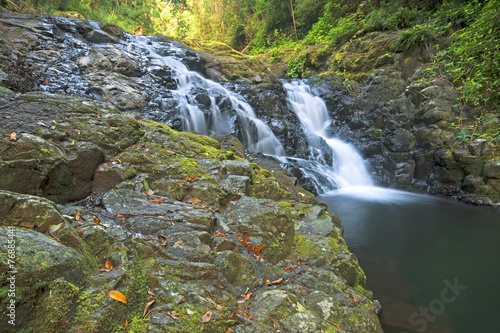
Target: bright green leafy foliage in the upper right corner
x,y
472,61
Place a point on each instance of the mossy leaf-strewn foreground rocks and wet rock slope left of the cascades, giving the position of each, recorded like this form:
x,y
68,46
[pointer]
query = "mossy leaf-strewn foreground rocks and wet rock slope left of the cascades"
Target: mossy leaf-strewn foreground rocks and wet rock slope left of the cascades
x,y
195,235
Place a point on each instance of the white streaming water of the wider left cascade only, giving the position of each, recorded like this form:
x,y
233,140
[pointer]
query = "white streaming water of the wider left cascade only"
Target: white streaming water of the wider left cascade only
x,y
255,135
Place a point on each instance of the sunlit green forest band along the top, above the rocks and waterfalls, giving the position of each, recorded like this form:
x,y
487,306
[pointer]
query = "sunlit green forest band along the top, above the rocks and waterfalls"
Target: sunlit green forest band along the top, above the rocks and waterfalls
x,y
463,36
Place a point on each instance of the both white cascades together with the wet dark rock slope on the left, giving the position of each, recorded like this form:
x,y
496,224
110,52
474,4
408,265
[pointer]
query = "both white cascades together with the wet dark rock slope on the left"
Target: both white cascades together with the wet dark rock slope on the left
x,y
160,79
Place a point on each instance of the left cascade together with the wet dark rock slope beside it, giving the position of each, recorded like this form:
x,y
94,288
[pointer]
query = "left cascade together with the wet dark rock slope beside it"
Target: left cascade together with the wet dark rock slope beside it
x,y
146,74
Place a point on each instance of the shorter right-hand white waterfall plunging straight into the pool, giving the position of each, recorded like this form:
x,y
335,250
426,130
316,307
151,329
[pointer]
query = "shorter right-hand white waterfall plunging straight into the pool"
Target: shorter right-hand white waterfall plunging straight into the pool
x,y
349,168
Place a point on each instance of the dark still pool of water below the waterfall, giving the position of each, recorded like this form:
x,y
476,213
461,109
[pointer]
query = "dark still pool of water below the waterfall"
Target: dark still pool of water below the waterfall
x,y
433,263
